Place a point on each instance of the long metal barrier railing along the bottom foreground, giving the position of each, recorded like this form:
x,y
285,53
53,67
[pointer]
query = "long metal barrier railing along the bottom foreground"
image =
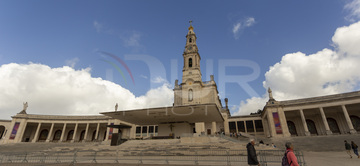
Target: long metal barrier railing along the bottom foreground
x,y
184,157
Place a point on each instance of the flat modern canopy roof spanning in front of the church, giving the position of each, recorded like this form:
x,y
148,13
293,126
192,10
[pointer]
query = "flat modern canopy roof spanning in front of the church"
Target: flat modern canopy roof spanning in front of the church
x,y
153,116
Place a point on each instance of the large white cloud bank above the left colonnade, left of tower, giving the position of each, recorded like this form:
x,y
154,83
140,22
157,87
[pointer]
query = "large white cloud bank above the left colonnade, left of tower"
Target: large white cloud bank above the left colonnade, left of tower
x,y
65,91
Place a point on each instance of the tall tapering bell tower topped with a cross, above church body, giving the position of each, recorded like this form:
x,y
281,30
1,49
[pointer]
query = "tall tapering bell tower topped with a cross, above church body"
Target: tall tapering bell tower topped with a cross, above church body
x,y
191,69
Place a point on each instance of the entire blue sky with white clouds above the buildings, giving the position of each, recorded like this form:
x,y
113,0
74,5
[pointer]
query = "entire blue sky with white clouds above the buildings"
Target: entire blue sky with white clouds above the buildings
x,y
81,57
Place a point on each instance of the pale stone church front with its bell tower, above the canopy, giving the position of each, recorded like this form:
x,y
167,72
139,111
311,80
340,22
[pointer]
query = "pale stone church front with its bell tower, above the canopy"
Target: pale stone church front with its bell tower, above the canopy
x,y
192,90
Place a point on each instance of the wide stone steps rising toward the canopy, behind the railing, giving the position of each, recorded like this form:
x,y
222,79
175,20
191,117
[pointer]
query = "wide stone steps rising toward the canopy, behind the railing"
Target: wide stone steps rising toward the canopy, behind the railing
x,y
216,150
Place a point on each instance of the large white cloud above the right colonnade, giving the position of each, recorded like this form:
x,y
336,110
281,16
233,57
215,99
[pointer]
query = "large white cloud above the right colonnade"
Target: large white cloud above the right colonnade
x,y
329,71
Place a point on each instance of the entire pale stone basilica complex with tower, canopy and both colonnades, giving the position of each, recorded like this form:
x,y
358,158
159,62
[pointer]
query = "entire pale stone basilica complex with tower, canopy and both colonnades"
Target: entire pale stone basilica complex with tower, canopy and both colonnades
x,y
197,111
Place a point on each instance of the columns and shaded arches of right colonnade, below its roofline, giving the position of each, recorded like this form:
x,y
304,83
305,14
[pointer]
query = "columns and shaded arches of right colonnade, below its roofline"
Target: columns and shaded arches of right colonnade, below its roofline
x,y
314,117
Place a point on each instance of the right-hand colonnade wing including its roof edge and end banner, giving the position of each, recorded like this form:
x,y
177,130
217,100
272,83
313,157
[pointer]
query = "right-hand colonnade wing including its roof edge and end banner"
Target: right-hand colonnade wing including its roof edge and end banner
x,y
325,115
